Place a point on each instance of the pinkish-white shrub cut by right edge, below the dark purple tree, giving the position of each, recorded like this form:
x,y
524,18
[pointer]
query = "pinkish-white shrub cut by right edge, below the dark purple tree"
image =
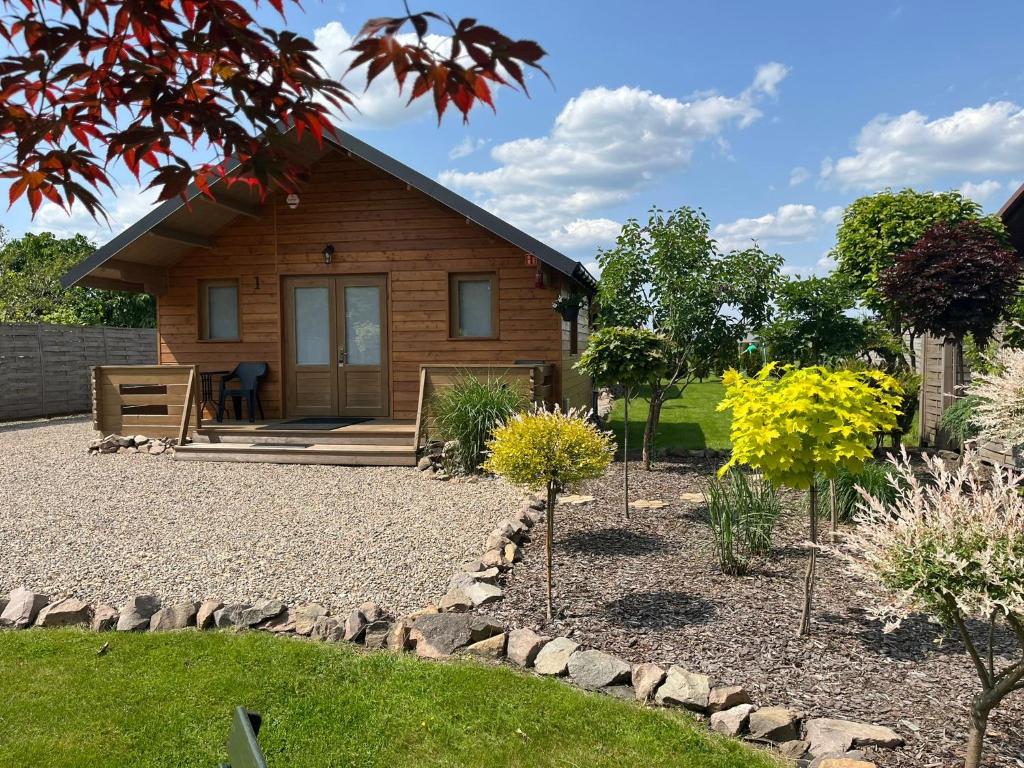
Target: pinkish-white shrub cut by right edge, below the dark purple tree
x,y
1000,412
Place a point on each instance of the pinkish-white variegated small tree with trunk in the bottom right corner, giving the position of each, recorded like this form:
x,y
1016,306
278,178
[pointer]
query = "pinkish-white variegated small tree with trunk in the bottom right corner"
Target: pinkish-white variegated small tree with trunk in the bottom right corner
x,y
954,547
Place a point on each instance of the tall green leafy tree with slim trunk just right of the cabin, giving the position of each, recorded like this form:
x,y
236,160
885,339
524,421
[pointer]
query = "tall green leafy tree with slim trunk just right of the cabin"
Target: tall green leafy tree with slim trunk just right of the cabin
x,y
669,276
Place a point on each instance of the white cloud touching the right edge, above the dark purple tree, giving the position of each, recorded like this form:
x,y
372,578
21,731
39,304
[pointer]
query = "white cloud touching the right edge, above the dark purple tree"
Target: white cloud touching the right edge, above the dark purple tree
x,y
911,149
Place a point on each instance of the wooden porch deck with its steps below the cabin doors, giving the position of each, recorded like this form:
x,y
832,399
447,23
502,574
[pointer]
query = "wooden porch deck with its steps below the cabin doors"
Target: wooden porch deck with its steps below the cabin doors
x,y
370,443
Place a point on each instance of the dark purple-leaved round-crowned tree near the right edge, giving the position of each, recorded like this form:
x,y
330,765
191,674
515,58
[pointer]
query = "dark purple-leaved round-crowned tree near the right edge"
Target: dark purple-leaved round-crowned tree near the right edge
x,y
956,280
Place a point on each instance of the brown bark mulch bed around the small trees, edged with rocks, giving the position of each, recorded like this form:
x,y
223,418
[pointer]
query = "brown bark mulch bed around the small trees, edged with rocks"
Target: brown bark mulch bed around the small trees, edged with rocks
x,y
650,589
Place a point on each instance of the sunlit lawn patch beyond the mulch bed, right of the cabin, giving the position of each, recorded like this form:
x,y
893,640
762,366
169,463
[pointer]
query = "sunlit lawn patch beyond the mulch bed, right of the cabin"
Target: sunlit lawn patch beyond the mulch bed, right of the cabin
x,y
688,422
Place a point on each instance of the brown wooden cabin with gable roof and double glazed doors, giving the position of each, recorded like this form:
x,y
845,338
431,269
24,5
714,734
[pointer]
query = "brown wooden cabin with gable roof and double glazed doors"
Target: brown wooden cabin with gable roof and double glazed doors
x,y
362,291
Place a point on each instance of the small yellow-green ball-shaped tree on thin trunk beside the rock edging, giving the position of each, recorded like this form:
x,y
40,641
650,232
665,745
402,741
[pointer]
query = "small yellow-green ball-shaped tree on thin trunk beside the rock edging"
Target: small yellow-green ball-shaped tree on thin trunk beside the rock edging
x,y
550,452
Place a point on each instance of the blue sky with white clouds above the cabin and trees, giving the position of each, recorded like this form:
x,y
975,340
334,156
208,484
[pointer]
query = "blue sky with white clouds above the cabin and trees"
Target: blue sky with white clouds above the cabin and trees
x,y
770,116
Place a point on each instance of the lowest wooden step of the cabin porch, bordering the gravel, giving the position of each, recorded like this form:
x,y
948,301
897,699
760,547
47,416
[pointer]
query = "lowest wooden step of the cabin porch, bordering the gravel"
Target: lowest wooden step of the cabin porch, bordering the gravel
x,y
367,455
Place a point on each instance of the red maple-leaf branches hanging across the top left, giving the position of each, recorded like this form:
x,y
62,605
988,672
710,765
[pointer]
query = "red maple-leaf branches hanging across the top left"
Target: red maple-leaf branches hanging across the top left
x,y
90,84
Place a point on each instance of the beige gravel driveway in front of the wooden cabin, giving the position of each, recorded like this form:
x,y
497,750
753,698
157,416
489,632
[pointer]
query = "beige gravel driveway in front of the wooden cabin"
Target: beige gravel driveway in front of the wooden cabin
x,y
103,528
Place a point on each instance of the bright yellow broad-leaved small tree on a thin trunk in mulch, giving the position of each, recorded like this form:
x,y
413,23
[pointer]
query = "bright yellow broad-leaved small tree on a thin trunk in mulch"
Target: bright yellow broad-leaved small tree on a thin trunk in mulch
x,y
808,421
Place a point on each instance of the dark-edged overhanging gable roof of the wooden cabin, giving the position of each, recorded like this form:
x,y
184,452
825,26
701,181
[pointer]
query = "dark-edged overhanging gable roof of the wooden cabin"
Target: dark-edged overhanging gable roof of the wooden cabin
x,y
176,228
